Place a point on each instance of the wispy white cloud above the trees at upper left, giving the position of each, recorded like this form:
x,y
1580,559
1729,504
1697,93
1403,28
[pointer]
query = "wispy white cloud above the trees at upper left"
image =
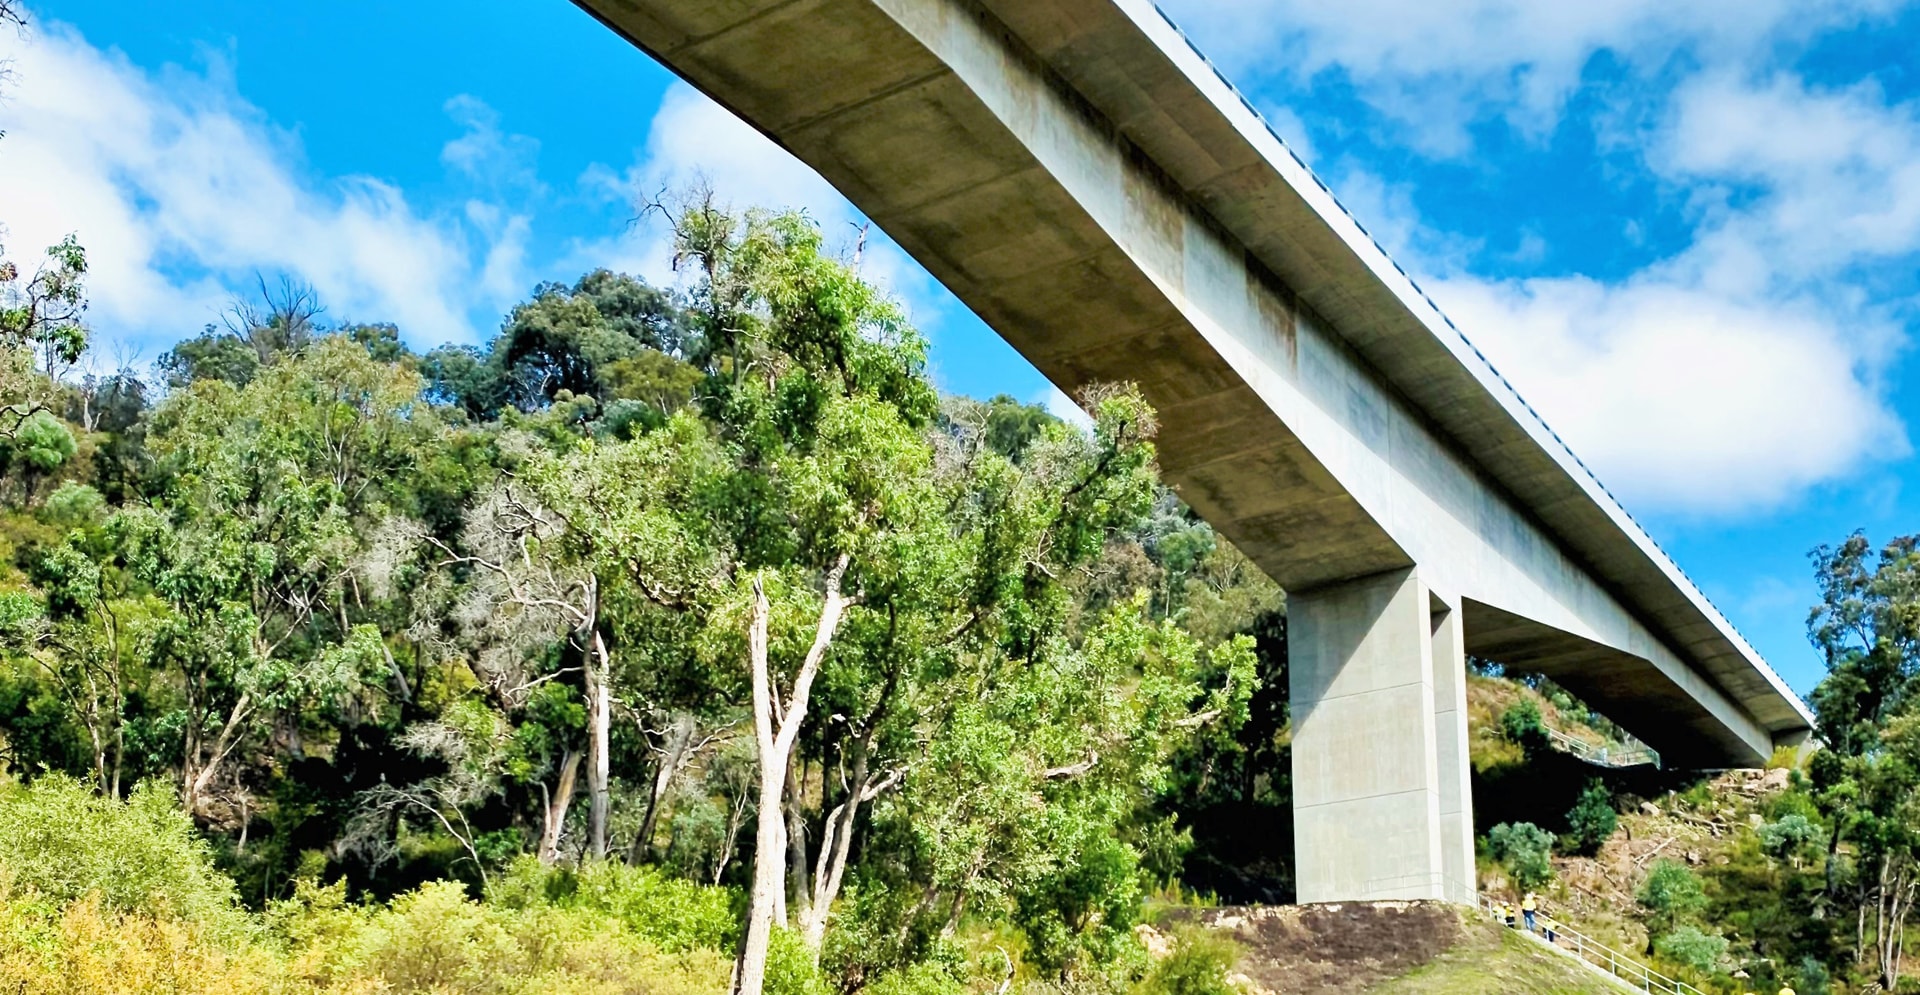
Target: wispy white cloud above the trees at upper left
x,y
181,191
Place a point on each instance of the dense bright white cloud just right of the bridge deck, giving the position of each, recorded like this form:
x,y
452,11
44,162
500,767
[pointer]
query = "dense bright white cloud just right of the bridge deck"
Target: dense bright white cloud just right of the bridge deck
x,y
1679,397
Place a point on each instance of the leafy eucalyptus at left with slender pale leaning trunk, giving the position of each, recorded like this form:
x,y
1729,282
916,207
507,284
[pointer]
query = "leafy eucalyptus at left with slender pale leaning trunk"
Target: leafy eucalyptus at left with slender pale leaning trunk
x,y
268,495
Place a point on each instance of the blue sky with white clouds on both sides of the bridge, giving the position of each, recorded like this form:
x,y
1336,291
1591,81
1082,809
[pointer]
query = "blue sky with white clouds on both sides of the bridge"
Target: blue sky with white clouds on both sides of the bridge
x,y
1689,233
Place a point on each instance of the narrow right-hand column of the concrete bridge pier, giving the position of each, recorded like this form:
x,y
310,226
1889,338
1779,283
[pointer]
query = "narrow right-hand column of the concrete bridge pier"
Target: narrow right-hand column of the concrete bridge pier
x,y
1451,742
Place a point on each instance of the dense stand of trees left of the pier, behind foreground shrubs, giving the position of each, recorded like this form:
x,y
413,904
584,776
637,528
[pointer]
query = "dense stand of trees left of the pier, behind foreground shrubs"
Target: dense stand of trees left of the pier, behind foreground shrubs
x,y
698,581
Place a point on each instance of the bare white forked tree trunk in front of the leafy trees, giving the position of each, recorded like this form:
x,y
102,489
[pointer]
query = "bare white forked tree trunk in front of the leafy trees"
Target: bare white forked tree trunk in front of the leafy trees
x,y
775,737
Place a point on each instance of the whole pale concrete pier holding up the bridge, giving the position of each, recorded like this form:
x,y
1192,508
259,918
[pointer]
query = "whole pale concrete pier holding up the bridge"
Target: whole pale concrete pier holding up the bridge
x,y
1383,808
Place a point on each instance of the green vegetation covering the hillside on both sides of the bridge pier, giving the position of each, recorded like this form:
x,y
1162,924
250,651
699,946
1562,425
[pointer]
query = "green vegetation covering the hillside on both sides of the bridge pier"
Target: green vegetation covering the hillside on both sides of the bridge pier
x,y
692,641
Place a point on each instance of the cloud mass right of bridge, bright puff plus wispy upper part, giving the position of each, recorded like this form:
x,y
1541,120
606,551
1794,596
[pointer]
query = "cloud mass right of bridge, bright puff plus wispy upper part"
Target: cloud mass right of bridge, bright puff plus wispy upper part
x,y
1752,366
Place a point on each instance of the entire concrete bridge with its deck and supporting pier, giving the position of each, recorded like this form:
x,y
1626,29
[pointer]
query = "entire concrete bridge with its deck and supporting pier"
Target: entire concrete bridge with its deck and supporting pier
x,y
1086,182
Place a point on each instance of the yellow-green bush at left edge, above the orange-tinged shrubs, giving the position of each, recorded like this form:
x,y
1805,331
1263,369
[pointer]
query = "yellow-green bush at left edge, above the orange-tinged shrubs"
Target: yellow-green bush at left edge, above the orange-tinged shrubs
x,y
64,842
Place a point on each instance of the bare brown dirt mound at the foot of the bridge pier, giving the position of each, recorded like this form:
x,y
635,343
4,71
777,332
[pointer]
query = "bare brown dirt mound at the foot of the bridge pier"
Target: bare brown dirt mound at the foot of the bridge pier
x,y
1333,950
